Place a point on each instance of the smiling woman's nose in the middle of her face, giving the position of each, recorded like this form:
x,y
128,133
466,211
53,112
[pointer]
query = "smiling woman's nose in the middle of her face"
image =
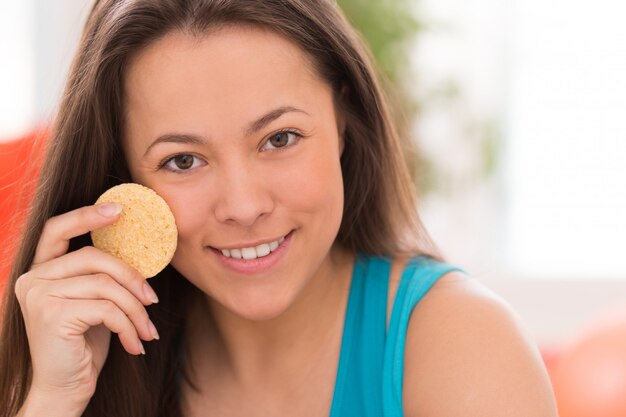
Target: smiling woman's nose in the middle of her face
x,y
244,197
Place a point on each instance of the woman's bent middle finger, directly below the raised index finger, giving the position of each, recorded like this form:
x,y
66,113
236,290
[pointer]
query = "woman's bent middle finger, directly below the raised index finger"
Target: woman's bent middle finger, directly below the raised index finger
x,y
89,260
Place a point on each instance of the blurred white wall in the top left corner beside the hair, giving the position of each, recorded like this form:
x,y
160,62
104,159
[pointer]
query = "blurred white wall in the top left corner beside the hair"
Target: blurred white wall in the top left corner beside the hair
x,y
38,39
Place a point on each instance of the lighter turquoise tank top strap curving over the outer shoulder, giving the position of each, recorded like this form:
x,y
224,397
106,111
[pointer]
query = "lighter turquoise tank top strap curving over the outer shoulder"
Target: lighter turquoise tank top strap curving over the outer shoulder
x,y
419,276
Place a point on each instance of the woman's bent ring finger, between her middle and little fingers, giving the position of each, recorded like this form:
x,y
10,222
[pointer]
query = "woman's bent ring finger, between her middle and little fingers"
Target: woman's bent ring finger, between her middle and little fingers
x,y
103,287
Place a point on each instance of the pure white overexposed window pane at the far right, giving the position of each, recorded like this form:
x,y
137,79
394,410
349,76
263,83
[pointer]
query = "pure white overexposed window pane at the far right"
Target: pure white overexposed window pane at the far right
x,y
567,134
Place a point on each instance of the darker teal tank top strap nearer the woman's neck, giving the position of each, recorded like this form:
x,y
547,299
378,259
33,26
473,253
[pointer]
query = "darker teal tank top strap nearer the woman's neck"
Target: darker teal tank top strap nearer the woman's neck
x,y
357,386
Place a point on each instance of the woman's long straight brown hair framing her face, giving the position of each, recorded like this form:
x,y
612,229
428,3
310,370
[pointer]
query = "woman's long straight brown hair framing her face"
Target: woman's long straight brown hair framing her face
x,y
84,158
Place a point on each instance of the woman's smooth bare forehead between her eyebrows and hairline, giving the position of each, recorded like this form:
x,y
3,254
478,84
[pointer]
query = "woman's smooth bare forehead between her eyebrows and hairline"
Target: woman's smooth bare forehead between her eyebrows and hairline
x,y
222,81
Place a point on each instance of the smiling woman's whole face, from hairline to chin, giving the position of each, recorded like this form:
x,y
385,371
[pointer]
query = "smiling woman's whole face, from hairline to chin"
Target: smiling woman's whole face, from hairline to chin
x,y
240,136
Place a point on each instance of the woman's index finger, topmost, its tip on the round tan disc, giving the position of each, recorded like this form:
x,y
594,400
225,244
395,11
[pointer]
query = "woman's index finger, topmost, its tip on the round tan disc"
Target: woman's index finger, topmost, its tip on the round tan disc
x,y
58,230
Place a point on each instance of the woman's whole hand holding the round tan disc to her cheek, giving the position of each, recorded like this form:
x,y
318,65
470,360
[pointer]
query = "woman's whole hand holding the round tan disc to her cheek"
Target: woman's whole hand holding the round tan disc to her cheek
x,y
71,303
